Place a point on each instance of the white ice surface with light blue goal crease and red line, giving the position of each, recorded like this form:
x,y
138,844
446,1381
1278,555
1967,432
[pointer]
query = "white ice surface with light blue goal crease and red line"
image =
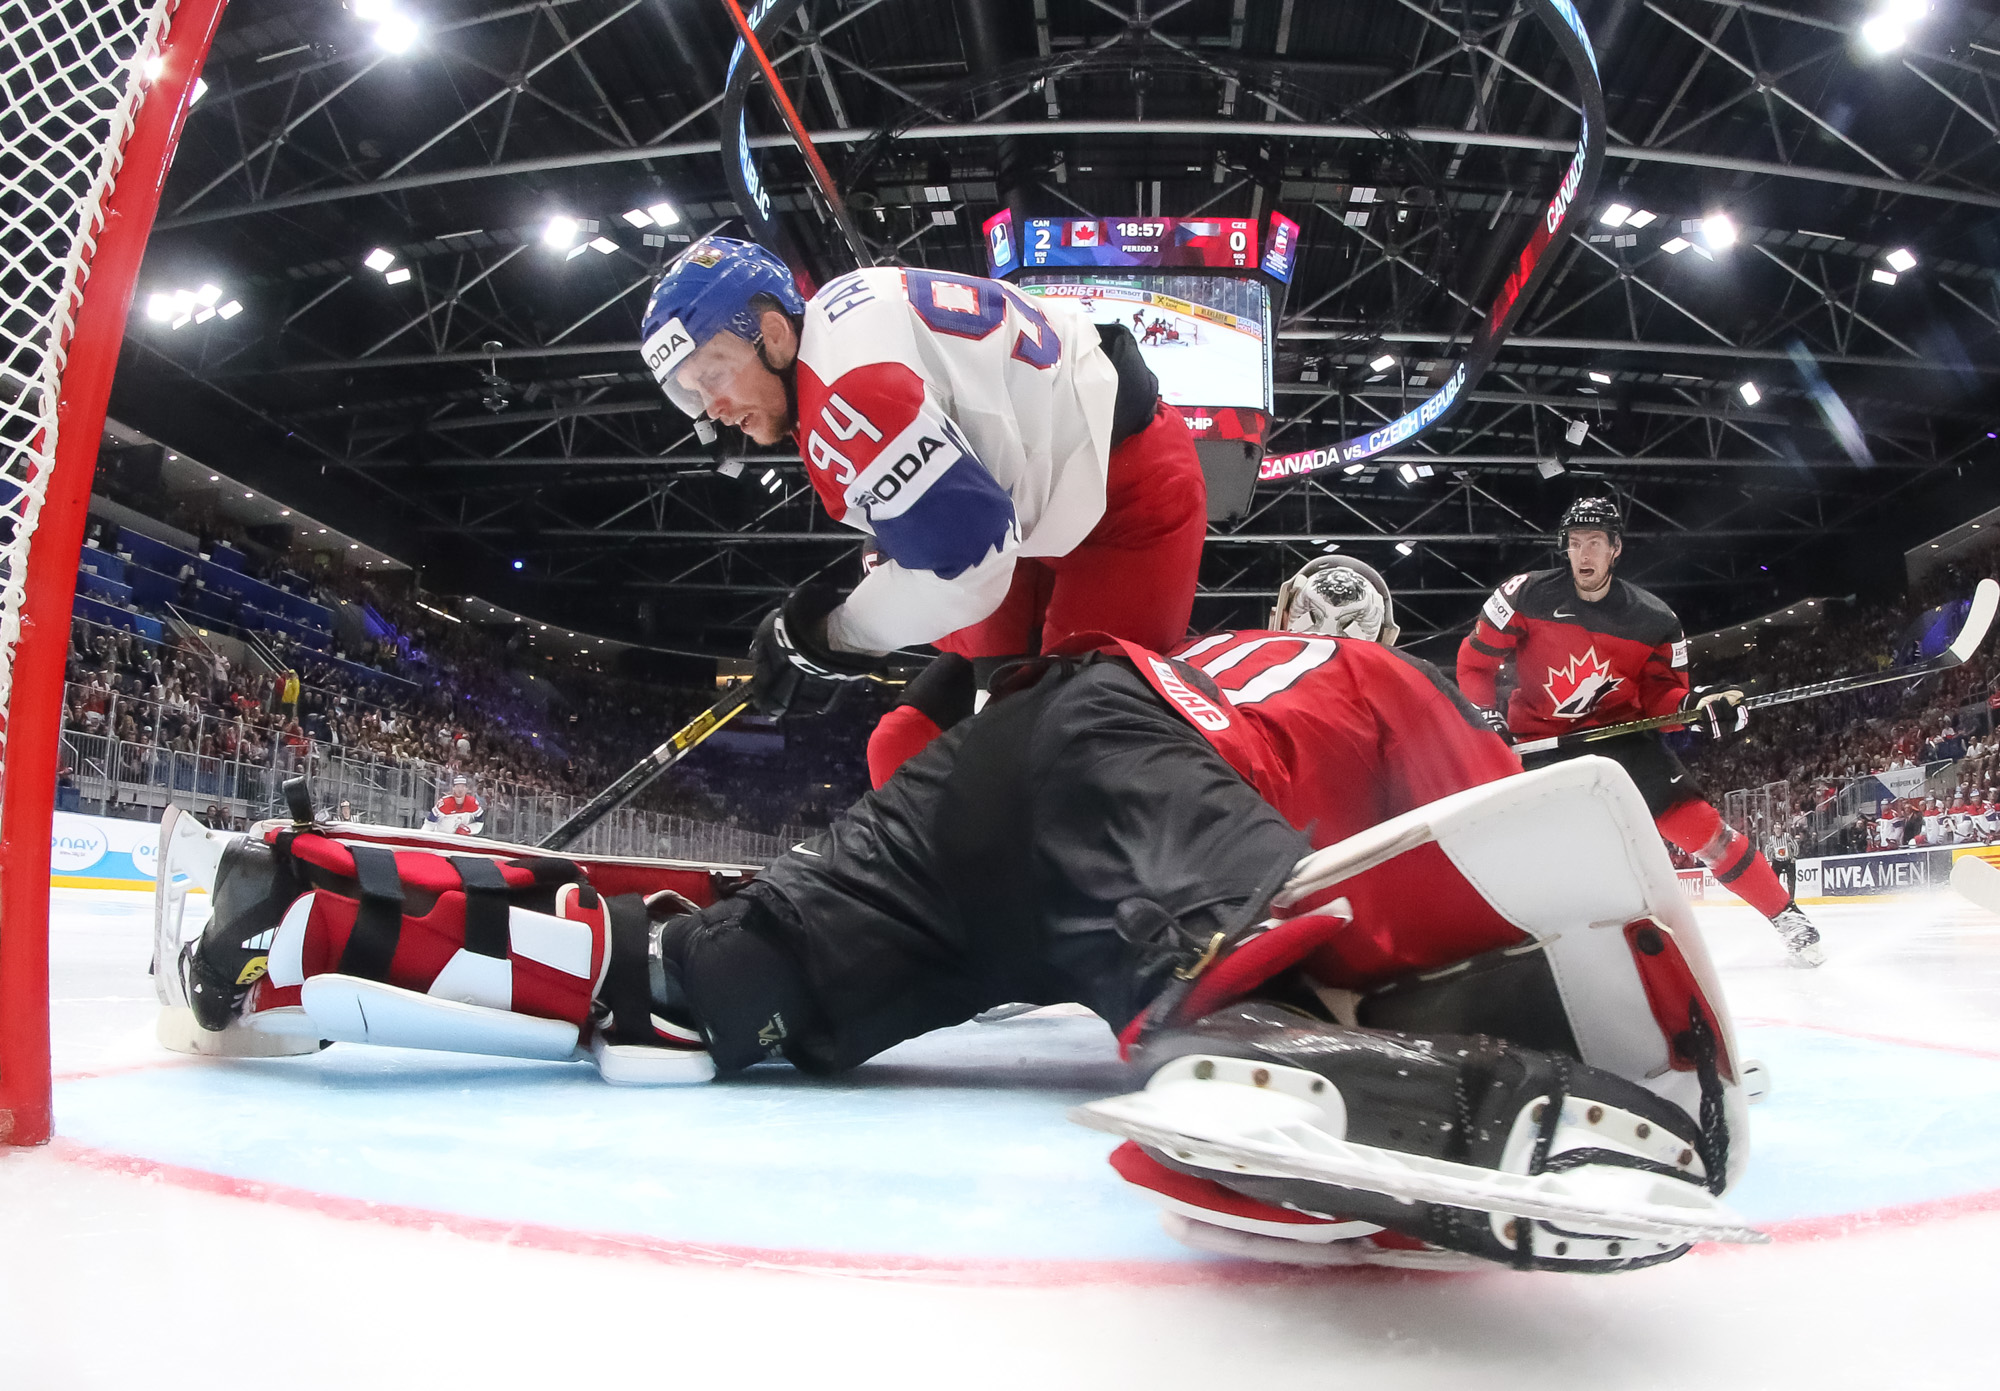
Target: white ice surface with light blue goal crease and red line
x,y
395,1220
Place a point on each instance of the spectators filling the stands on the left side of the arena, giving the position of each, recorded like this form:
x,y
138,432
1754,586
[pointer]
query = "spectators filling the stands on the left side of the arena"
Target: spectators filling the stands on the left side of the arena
x,y
407,685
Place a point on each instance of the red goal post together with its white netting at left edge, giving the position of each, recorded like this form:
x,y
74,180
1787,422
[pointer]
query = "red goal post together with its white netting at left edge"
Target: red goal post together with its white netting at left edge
x,y
93,97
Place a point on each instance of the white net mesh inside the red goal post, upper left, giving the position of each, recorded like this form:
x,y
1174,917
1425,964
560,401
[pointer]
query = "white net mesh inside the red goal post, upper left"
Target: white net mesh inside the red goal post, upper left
x,y
71,83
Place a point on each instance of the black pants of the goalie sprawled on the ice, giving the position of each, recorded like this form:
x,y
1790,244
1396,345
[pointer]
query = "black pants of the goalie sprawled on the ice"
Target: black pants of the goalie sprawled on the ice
x,y
1061,846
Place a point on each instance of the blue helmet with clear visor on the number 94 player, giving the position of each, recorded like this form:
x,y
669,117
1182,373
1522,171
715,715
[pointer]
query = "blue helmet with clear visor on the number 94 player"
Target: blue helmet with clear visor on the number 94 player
x,y
707,293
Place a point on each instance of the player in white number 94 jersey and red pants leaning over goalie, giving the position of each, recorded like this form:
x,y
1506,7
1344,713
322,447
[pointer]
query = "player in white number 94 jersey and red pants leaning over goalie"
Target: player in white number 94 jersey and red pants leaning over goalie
x,y
1013,463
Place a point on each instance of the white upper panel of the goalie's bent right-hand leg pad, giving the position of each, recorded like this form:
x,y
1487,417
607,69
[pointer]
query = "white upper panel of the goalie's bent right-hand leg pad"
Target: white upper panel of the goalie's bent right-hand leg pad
x,y
1611,870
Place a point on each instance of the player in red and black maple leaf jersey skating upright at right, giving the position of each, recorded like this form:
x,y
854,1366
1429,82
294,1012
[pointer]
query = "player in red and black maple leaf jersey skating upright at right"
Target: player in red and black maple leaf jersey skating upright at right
x,y
1595,651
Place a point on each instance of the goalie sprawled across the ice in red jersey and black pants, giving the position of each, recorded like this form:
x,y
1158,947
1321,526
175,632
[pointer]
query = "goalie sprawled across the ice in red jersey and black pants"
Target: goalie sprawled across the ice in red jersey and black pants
x,y
1393,1036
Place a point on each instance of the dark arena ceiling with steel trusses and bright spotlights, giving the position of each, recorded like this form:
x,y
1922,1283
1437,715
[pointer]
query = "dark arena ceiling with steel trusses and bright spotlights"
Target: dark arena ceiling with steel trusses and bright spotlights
x,y
373,401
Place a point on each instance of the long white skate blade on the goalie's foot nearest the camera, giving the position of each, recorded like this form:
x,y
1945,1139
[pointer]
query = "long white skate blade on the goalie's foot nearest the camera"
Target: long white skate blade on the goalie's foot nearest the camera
x,y
1243,1130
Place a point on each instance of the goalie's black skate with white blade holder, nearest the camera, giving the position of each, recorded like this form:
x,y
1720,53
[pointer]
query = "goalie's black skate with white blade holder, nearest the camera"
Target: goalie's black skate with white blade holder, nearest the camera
x,y
1459,1104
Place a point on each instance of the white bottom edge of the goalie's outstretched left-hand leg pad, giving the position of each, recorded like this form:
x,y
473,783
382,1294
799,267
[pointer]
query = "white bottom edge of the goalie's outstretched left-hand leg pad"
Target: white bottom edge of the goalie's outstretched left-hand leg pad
x,y
351,1010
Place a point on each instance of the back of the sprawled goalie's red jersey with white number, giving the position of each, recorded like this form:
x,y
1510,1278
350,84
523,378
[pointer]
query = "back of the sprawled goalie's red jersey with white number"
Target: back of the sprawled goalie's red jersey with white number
x,y
1333,732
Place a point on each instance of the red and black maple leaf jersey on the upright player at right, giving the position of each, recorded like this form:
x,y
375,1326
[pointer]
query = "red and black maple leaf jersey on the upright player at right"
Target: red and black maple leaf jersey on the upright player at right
x,y
1577,665
